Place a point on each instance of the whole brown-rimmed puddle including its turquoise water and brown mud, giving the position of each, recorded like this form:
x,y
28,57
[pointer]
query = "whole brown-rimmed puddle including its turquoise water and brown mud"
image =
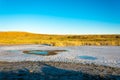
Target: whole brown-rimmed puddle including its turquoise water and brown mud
x,y
43,52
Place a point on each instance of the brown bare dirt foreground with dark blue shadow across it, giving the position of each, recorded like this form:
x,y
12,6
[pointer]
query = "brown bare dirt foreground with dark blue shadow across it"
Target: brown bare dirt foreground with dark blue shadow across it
x,y
56,71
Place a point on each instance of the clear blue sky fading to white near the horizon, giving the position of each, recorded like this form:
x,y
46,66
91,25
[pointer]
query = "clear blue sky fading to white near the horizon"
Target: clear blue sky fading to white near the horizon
x,y
61,16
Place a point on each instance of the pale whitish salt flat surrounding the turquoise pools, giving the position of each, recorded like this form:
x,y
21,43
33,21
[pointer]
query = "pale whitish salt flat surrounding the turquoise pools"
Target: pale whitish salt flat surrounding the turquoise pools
x,y
104,55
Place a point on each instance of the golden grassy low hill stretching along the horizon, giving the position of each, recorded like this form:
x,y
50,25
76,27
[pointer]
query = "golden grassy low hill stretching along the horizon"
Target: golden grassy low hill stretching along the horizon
x,y
13,38
